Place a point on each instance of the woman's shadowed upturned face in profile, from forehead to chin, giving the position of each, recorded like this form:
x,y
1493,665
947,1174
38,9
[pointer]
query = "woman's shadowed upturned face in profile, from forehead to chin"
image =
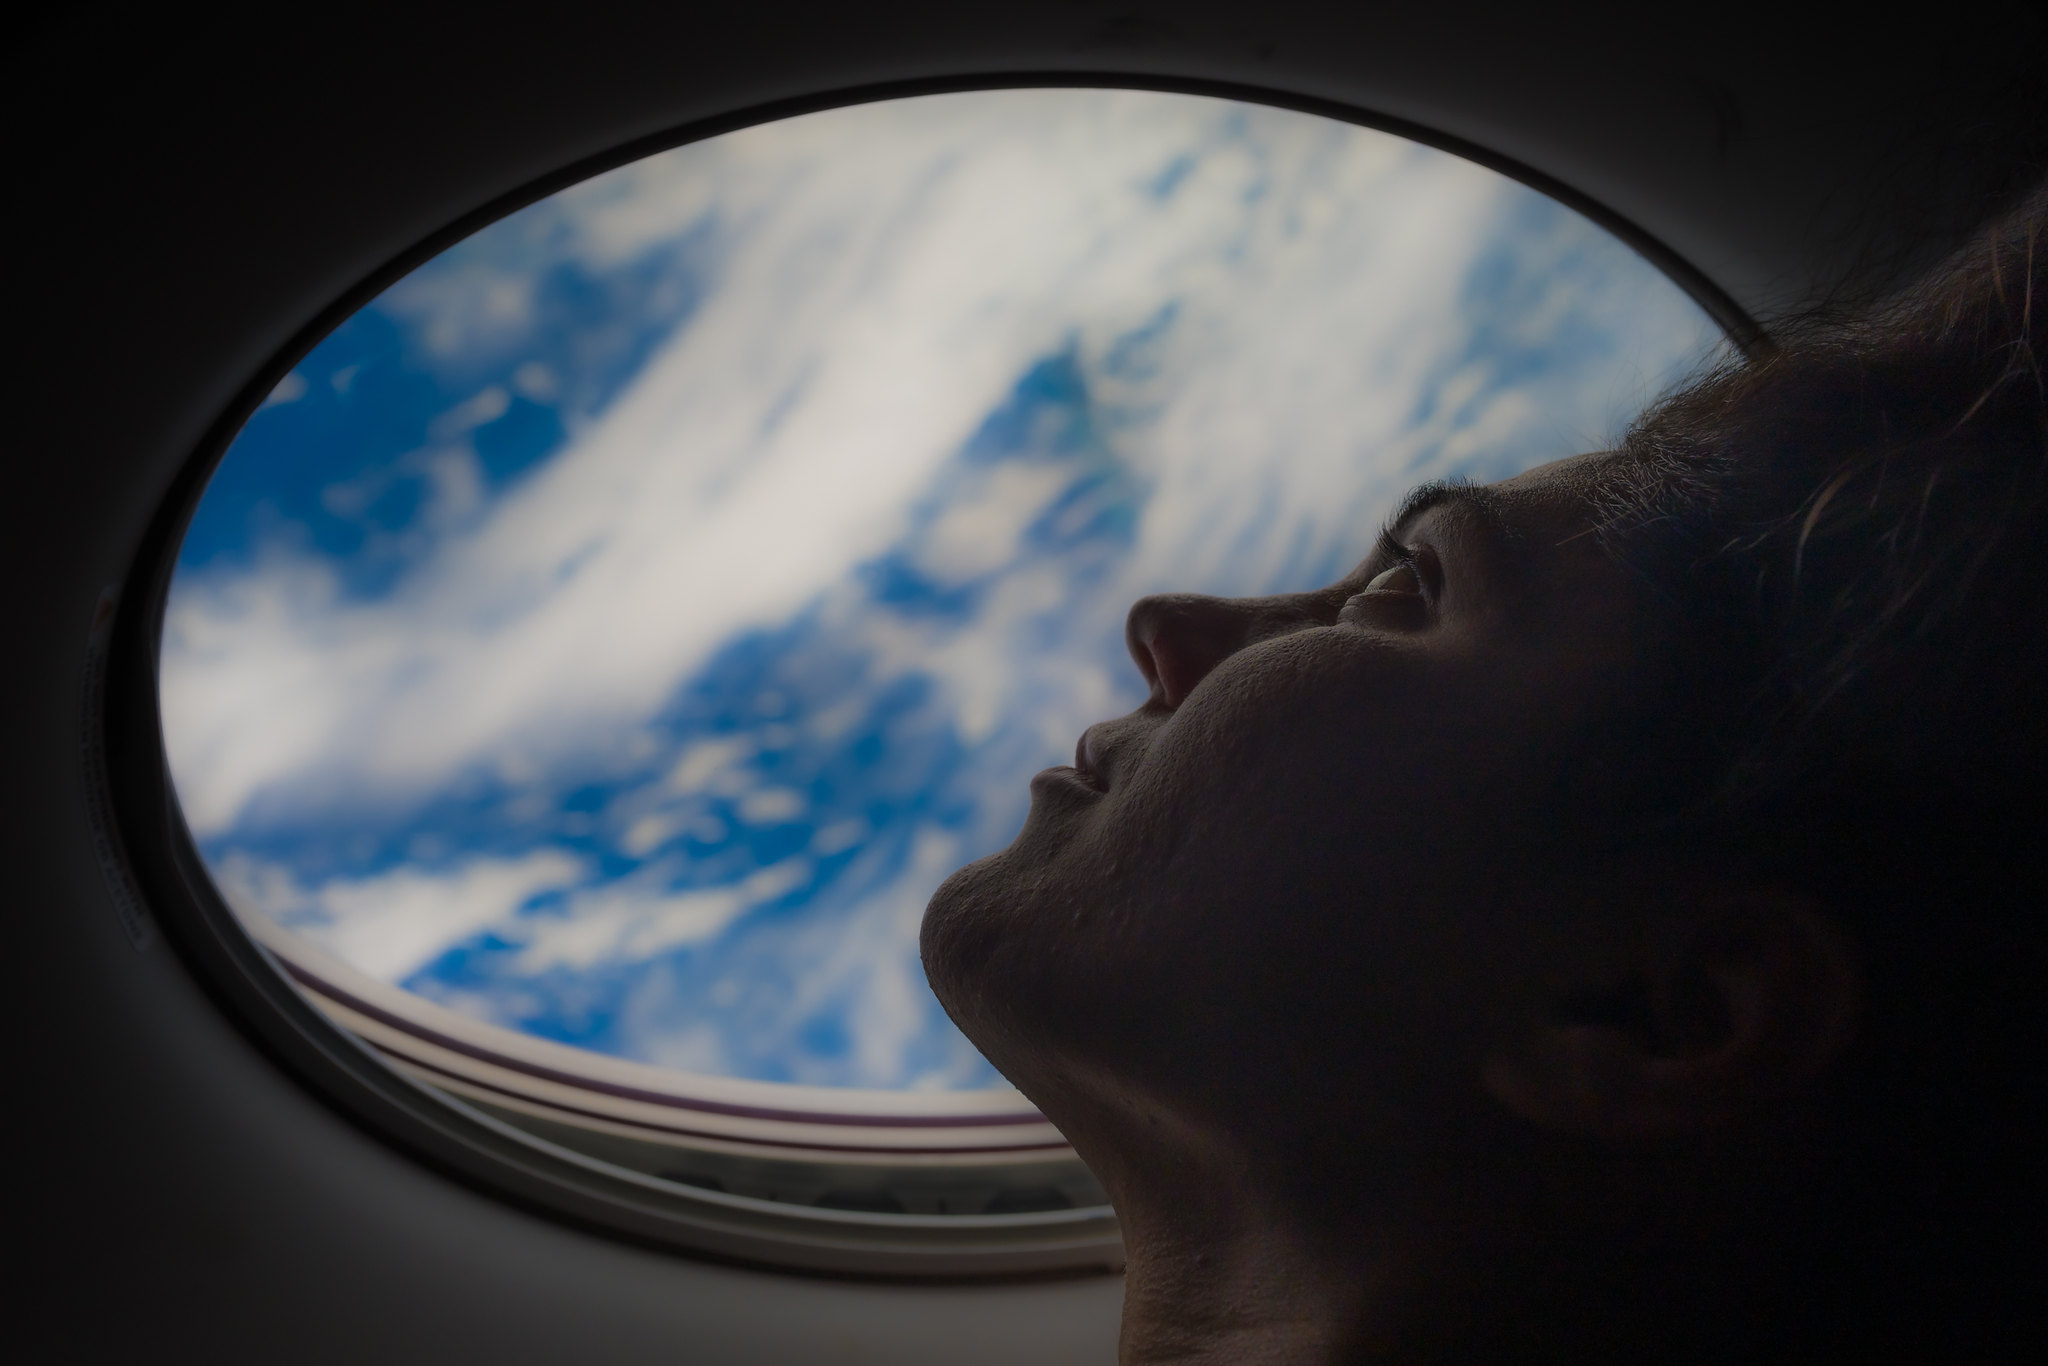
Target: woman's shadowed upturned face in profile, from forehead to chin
x,y
1306,869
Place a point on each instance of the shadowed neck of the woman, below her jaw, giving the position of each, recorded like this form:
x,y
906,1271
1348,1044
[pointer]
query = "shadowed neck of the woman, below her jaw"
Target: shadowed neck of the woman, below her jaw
x,y
1226,1269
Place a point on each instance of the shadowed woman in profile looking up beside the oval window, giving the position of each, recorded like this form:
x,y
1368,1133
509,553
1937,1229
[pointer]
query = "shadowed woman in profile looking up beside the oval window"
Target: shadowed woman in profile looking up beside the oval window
x,y
1609,923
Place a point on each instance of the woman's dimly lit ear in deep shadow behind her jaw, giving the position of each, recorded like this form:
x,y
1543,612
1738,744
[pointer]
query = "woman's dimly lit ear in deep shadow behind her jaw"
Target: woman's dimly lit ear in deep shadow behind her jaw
x,y
1721,1007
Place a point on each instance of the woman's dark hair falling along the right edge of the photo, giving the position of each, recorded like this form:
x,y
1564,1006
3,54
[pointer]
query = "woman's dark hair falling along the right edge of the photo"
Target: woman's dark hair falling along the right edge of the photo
x,y
1854,529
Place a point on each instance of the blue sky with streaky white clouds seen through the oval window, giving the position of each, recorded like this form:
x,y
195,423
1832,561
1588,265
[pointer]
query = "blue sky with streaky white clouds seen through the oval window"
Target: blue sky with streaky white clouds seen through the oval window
x,y
622,626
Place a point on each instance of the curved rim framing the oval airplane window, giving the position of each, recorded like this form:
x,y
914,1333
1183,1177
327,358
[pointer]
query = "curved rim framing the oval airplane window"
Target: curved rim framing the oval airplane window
x,y
155,855
